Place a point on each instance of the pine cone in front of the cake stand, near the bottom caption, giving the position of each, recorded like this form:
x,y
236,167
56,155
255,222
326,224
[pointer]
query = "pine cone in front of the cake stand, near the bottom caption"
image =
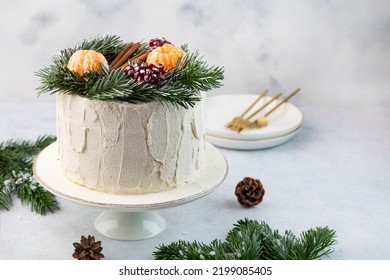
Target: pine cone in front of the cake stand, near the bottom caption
x,y
88,249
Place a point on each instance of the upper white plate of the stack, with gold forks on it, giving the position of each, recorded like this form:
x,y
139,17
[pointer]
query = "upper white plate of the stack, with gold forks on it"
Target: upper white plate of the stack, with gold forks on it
x,y
222,108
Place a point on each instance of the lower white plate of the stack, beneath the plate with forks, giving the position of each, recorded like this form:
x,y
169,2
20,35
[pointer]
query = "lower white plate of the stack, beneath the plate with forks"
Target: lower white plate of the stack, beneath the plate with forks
x,y
250,144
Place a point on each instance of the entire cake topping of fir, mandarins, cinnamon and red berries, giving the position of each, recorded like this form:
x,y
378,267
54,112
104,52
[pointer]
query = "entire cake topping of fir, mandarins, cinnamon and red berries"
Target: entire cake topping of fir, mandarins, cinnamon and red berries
x,y
107,68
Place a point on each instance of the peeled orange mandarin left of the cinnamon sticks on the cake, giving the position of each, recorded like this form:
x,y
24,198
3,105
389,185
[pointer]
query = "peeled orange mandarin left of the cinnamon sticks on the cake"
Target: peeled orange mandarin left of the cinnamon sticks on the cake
x,y
83,61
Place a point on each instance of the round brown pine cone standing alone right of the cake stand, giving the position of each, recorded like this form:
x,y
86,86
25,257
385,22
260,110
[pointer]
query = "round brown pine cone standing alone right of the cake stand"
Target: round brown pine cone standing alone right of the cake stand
x,y
249,192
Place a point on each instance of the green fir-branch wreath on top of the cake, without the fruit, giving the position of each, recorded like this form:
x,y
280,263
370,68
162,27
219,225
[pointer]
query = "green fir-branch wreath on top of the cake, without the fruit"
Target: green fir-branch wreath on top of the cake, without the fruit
x,y
182,86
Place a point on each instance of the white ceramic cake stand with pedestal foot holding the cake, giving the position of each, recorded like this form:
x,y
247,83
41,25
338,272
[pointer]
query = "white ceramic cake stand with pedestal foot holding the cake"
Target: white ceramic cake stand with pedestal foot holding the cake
x,y
129,217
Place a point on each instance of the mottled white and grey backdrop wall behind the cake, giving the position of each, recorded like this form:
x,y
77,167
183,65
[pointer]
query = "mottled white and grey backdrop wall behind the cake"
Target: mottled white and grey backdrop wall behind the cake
x,y
335,50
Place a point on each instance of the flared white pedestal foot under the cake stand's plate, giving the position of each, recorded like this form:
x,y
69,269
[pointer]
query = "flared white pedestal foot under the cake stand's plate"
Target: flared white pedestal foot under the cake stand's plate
x,y
123,225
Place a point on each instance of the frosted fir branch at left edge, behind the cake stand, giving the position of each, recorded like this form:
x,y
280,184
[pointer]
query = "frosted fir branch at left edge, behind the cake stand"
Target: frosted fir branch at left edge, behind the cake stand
x,y
16,176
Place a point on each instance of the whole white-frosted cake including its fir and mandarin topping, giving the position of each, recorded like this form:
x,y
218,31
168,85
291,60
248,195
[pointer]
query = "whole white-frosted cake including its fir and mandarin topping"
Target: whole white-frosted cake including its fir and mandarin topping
x,y
130,120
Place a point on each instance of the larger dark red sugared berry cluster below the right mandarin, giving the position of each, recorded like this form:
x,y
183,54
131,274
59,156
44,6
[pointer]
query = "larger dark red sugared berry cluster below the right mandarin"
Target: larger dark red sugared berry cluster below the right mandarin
x,y
142,72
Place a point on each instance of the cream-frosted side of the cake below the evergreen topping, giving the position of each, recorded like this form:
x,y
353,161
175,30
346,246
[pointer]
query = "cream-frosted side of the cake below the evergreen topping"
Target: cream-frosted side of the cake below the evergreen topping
x,y
124,148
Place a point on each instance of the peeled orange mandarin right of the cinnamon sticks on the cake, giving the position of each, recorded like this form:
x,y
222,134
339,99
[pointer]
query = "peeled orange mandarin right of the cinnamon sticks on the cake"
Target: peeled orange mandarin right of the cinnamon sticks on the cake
x,y
166,55
